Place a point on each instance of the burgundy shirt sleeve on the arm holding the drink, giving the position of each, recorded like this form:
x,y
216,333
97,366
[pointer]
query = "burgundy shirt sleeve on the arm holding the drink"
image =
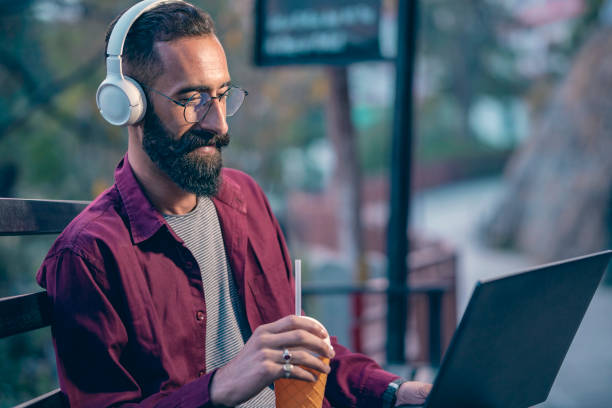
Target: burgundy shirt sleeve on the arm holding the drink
x,y
90,339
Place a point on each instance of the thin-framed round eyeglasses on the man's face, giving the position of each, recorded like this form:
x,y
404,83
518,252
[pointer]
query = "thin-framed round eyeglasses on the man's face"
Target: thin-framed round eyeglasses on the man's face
x,y
197,106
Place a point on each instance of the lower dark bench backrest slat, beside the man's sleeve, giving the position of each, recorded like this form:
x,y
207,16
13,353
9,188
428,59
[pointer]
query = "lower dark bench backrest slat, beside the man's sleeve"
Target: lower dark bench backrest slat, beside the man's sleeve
x,y
23,313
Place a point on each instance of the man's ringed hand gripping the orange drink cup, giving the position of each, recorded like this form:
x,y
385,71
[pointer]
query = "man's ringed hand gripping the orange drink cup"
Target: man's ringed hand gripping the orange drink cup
x,y
260,362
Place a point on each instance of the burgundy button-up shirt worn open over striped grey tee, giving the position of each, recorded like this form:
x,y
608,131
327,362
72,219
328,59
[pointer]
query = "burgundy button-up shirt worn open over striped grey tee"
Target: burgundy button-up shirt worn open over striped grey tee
x,y
129,317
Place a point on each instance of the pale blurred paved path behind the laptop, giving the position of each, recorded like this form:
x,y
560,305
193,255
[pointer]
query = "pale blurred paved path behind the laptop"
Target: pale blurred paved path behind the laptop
x,y
454,213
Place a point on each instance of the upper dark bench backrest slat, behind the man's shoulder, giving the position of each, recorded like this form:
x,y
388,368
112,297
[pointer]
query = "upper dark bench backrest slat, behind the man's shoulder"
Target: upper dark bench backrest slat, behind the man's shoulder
x,y
28,217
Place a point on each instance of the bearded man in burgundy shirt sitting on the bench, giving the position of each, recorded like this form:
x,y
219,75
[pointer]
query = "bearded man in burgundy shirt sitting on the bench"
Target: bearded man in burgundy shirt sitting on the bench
x,y
174,288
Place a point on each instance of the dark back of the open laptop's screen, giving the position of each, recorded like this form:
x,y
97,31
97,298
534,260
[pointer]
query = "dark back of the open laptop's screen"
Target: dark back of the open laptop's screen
x,y
514,335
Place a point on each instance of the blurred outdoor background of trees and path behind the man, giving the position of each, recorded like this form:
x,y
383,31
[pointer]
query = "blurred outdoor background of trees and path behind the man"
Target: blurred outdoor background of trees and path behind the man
x,y
511,159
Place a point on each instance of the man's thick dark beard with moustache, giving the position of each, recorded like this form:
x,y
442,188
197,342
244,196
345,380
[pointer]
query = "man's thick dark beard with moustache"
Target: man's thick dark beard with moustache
x,y
198,174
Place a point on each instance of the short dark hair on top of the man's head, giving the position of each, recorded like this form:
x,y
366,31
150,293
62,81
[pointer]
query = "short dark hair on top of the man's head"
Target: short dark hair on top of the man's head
x,y
166,22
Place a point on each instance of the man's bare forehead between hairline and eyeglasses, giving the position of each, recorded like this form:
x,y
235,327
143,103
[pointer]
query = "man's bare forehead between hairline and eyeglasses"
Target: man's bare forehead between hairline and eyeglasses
x,y
197,62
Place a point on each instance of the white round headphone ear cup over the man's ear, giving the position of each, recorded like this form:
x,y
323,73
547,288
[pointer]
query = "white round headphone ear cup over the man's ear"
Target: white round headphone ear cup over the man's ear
x,y
121,101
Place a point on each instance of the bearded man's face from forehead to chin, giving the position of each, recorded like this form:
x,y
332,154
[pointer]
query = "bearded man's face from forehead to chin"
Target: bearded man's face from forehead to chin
x,y
190,154
